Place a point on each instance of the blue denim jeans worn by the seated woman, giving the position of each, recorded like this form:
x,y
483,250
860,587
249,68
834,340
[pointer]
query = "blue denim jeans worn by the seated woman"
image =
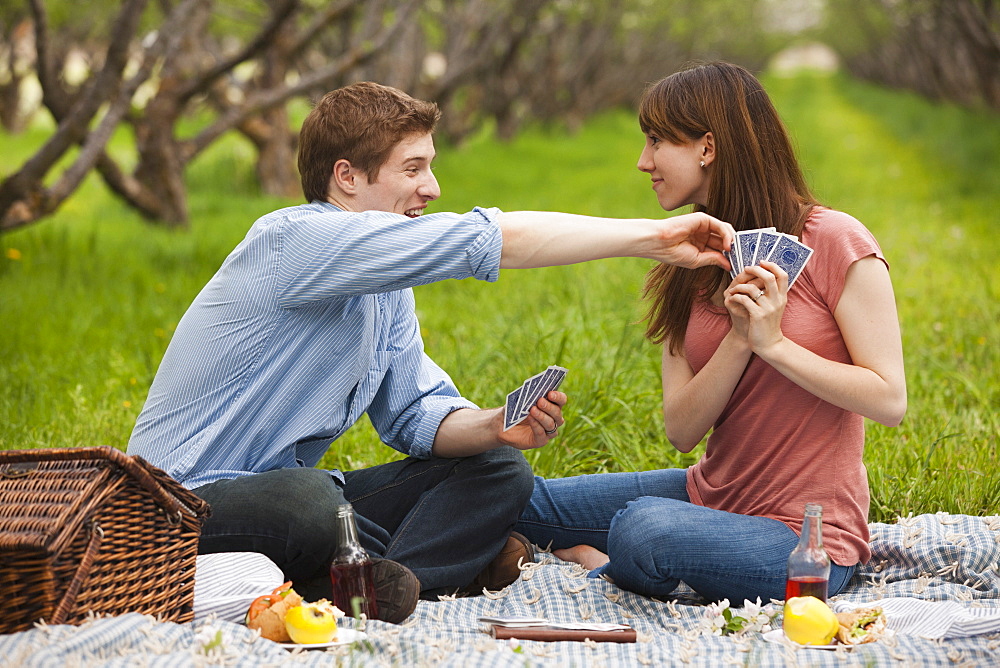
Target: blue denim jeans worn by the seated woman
x,y
655,537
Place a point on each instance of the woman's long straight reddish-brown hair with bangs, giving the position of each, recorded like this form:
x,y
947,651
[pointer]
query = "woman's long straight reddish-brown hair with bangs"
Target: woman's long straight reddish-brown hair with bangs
x,y
756,180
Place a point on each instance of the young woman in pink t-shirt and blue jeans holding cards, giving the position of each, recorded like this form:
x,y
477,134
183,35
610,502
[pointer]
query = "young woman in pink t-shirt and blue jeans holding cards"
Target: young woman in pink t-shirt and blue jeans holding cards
x,y
782,378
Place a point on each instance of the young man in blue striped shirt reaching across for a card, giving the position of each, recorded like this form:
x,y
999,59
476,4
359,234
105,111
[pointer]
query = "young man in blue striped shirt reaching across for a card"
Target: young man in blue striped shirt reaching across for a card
x,y
310,323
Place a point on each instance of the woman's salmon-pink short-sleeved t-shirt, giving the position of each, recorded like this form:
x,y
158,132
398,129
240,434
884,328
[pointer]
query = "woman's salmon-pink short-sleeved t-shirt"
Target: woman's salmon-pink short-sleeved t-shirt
x,y
776,447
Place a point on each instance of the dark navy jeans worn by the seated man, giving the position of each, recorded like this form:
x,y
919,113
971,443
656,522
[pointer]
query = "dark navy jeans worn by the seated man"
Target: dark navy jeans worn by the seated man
x,y
445,519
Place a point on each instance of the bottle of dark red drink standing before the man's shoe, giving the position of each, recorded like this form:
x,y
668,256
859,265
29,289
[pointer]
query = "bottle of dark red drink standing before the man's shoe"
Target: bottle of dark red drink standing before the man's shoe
x,y
351,569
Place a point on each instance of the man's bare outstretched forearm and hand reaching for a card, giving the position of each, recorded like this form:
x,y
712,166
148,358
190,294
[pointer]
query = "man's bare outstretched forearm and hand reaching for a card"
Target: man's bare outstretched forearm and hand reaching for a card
x,y
545,238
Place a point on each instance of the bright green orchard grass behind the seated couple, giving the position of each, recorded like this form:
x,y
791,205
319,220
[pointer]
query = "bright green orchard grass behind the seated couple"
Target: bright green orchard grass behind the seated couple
x,y
90,302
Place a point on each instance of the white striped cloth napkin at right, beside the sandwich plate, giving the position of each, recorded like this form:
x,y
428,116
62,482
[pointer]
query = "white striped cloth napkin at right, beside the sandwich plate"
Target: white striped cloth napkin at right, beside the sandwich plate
x,y
931,619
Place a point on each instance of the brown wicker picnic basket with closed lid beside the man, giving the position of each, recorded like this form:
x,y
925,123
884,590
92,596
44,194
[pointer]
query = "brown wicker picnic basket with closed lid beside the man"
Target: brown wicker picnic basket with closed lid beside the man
x,y
93,530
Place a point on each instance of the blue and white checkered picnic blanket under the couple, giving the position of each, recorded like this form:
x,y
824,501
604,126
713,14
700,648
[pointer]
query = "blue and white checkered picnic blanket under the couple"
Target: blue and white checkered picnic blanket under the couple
x,y
940,557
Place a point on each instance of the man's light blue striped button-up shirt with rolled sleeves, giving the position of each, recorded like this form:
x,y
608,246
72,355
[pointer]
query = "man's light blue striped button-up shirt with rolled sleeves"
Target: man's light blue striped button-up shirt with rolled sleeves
x,y
308,324
